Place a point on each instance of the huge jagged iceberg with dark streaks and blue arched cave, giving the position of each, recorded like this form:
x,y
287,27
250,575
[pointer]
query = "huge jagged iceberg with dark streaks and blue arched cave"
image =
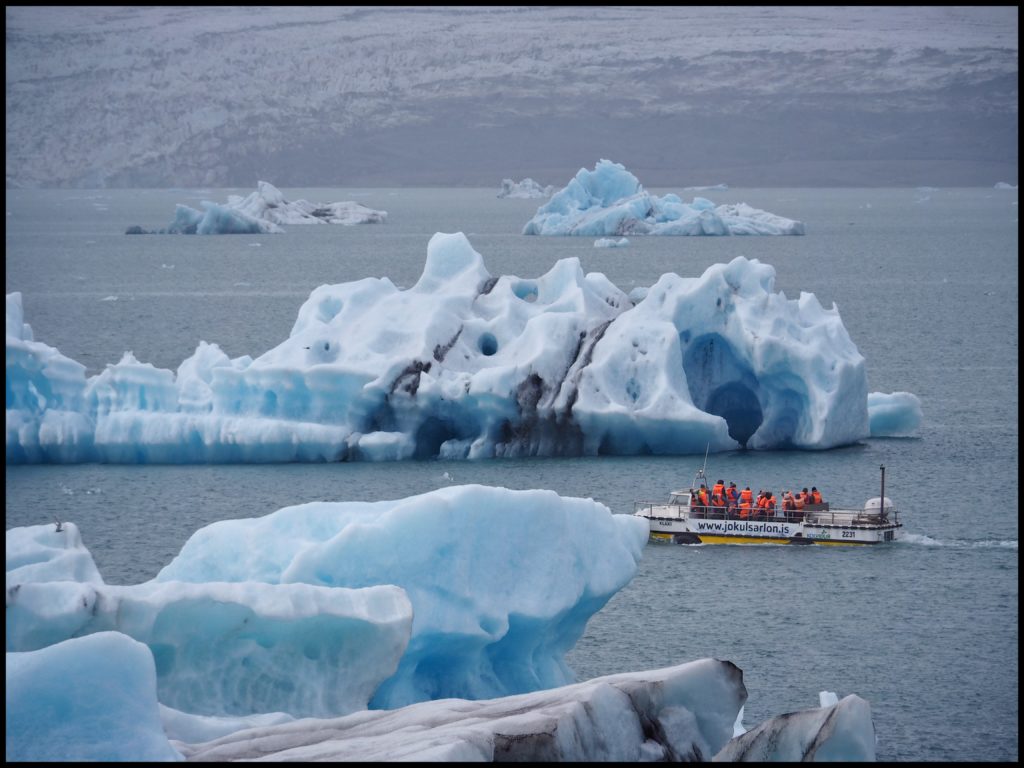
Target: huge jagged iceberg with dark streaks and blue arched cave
x,y
478,367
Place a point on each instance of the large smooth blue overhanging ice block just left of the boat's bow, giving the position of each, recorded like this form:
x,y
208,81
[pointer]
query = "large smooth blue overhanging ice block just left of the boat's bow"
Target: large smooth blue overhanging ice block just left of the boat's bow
x,y
497,620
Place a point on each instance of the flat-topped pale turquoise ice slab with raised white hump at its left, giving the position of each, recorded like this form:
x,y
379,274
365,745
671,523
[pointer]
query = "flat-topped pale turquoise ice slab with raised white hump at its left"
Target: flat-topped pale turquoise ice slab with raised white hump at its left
x,y
309,651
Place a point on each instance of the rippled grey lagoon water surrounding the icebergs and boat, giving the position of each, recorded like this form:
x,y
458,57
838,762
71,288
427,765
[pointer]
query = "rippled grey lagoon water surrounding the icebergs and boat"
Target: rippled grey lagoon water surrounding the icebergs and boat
x,y
926,282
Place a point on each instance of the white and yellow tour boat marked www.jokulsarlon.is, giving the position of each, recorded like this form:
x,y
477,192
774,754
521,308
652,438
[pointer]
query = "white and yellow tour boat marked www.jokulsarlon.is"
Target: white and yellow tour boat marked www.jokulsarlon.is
x,y
677,522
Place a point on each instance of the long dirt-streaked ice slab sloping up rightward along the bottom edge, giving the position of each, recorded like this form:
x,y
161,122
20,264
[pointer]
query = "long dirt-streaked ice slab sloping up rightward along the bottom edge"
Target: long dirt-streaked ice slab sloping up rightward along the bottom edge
x,y
677,714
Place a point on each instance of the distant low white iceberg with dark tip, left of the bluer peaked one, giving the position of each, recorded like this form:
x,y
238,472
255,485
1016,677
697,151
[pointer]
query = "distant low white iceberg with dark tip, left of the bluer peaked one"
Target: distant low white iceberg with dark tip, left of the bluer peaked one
x,y
263,212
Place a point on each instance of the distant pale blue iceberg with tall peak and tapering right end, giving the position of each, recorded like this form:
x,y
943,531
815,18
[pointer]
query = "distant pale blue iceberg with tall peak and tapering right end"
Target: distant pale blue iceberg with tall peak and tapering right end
x,y
611,201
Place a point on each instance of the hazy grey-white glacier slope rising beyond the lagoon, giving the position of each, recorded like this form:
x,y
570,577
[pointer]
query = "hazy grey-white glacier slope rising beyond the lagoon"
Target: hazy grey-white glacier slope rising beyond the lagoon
x,y
326,97
